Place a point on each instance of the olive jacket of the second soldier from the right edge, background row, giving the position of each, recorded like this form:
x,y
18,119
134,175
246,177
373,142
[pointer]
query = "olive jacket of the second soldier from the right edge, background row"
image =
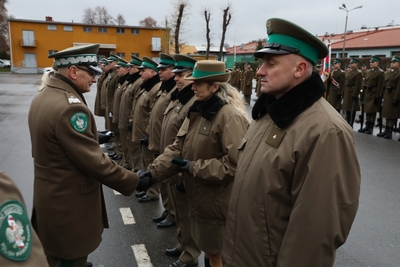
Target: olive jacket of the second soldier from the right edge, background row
x,y
373,85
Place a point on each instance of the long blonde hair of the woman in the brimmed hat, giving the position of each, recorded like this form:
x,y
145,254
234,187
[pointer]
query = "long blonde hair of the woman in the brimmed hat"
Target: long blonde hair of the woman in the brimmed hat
x,y
230,94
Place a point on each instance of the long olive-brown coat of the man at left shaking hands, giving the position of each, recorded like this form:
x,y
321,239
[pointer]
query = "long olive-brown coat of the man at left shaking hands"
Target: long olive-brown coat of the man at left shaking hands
x,y
69,211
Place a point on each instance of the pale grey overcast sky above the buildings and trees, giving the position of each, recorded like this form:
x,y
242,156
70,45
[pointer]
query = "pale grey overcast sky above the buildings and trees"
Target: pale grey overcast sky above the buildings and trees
x,y
249,16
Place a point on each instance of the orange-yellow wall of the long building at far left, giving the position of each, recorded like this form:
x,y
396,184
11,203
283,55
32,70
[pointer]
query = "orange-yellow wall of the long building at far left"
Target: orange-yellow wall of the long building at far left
x,y
59,39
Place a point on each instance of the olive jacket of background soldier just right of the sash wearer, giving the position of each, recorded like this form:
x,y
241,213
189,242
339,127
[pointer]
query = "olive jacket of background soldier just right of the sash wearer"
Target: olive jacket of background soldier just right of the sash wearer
x,y
352,87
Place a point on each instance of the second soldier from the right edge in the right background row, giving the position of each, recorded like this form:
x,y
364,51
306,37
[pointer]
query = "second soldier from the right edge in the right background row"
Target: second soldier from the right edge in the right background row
x,y
372,94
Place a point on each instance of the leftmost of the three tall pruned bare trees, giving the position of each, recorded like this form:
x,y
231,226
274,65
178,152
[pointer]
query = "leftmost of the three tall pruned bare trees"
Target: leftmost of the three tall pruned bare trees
x,y
179,13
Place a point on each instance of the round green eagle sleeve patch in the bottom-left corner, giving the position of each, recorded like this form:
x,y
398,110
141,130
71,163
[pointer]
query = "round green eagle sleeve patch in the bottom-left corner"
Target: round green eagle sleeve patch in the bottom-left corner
x,y
15,231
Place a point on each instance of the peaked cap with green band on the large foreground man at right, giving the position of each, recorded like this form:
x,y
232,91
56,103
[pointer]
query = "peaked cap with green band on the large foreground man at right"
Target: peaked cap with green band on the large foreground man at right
x,y
285,37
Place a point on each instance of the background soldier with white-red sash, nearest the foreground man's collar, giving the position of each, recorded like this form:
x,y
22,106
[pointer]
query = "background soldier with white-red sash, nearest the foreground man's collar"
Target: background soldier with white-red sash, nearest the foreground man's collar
x,y
336,85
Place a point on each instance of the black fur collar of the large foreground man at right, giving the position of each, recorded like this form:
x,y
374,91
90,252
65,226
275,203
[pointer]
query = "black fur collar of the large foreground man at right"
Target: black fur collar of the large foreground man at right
x,y
285,109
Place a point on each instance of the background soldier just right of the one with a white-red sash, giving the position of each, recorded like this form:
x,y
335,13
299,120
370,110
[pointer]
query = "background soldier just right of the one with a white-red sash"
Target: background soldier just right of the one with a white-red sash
x,y
352,87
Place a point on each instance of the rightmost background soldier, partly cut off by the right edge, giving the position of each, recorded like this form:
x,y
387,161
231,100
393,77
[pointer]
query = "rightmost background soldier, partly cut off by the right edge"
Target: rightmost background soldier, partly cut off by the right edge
x,y
391,97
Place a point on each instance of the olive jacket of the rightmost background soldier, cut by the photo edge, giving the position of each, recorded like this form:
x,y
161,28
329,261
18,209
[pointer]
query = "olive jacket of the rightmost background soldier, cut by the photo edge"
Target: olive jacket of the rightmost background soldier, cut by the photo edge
x,y
391,91
